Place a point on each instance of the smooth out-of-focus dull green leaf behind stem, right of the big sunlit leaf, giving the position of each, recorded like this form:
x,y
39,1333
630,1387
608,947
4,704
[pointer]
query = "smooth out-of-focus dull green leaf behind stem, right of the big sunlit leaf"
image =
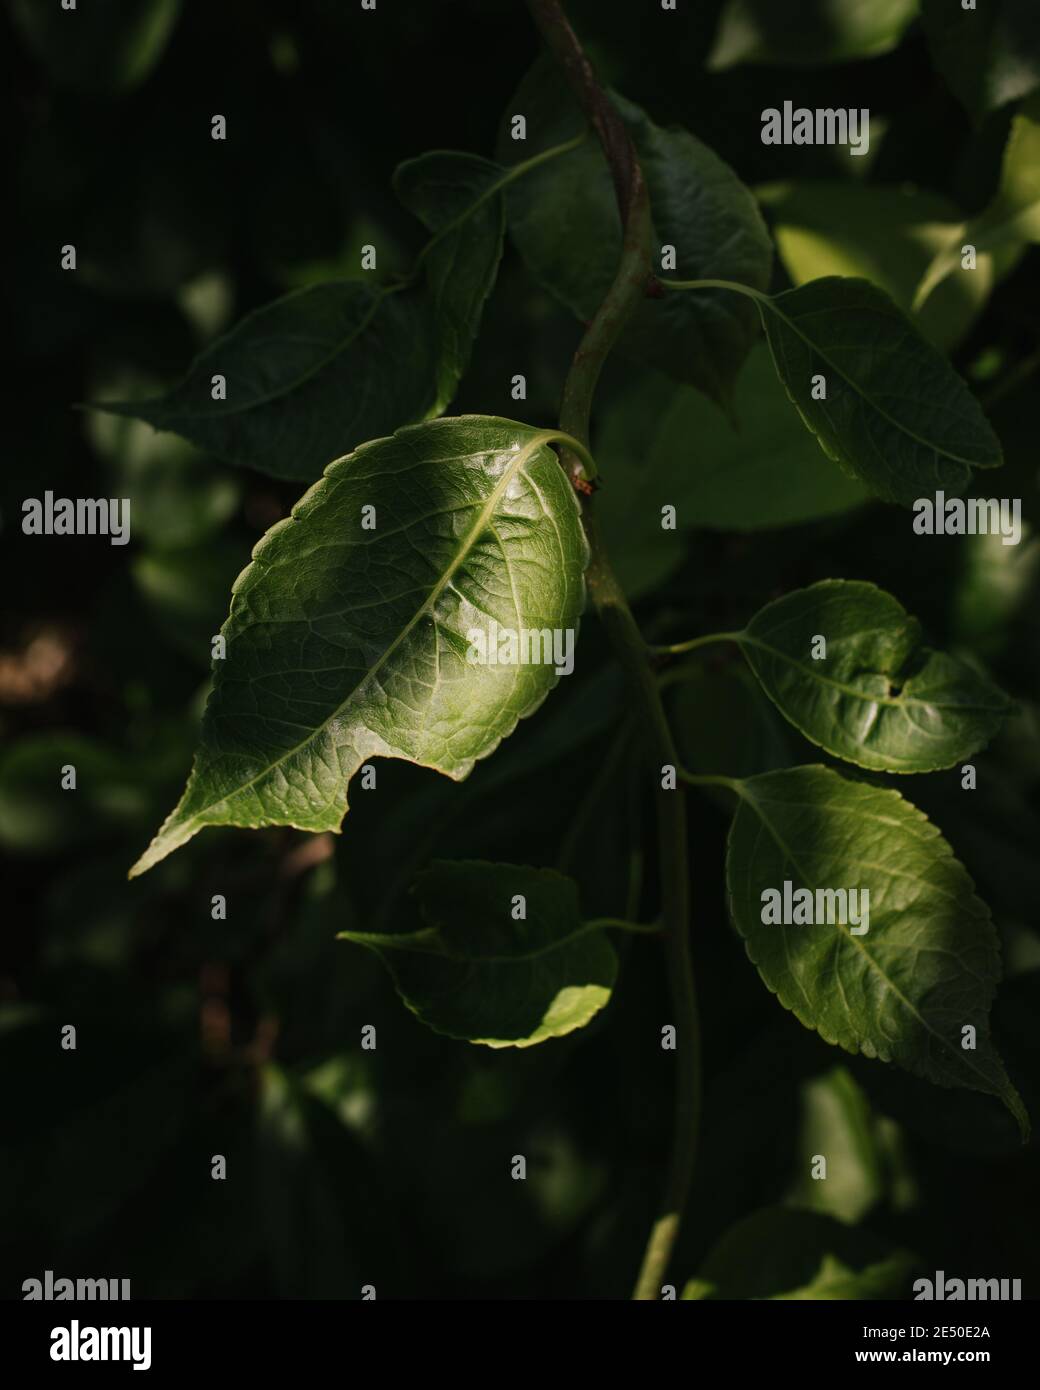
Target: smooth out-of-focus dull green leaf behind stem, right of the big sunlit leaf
x,y
664,445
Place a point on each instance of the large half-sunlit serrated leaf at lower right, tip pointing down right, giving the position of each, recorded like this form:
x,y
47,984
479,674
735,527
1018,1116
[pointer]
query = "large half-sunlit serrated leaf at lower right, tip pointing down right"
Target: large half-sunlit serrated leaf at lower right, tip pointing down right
x,y
928,965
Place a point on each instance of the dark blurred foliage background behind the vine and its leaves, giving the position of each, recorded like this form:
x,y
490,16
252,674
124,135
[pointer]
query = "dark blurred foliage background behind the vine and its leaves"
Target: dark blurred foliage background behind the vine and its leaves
x,y
243,1038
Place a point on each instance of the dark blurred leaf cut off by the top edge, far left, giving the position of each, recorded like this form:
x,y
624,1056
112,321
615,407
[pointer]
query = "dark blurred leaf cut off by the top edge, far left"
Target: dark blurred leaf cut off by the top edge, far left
x,y
99,48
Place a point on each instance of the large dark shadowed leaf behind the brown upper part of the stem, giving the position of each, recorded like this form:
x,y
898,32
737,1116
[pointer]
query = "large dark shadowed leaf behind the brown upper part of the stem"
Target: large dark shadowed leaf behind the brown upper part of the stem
x,y
565,223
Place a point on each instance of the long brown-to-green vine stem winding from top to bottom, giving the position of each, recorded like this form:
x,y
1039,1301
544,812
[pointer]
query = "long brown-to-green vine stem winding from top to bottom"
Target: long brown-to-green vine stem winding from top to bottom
x,y
628,291
